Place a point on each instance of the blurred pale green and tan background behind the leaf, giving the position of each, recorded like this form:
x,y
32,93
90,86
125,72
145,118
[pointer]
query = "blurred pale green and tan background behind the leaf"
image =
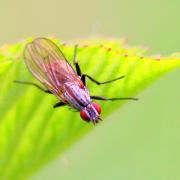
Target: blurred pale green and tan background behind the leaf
x,y
141,140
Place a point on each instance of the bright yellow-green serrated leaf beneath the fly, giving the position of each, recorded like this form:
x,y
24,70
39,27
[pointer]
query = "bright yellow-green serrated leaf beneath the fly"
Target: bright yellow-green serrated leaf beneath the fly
x,y
32,132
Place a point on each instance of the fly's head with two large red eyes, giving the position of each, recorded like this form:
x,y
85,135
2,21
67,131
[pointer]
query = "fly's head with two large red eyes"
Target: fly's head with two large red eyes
x,y
91,113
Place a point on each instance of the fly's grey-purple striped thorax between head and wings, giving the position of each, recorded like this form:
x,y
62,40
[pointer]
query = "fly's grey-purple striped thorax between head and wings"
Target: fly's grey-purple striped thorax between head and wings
x,y
77,96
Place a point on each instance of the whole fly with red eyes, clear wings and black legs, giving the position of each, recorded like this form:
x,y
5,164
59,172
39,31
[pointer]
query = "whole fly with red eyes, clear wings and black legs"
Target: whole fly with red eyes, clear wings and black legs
x,y
48,64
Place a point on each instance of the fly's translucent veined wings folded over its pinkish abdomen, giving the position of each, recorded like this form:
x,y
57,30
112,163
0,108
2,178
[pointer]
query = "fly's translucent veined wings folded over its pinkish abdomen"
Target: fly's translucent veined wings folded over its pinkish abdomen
x,y
48,64
